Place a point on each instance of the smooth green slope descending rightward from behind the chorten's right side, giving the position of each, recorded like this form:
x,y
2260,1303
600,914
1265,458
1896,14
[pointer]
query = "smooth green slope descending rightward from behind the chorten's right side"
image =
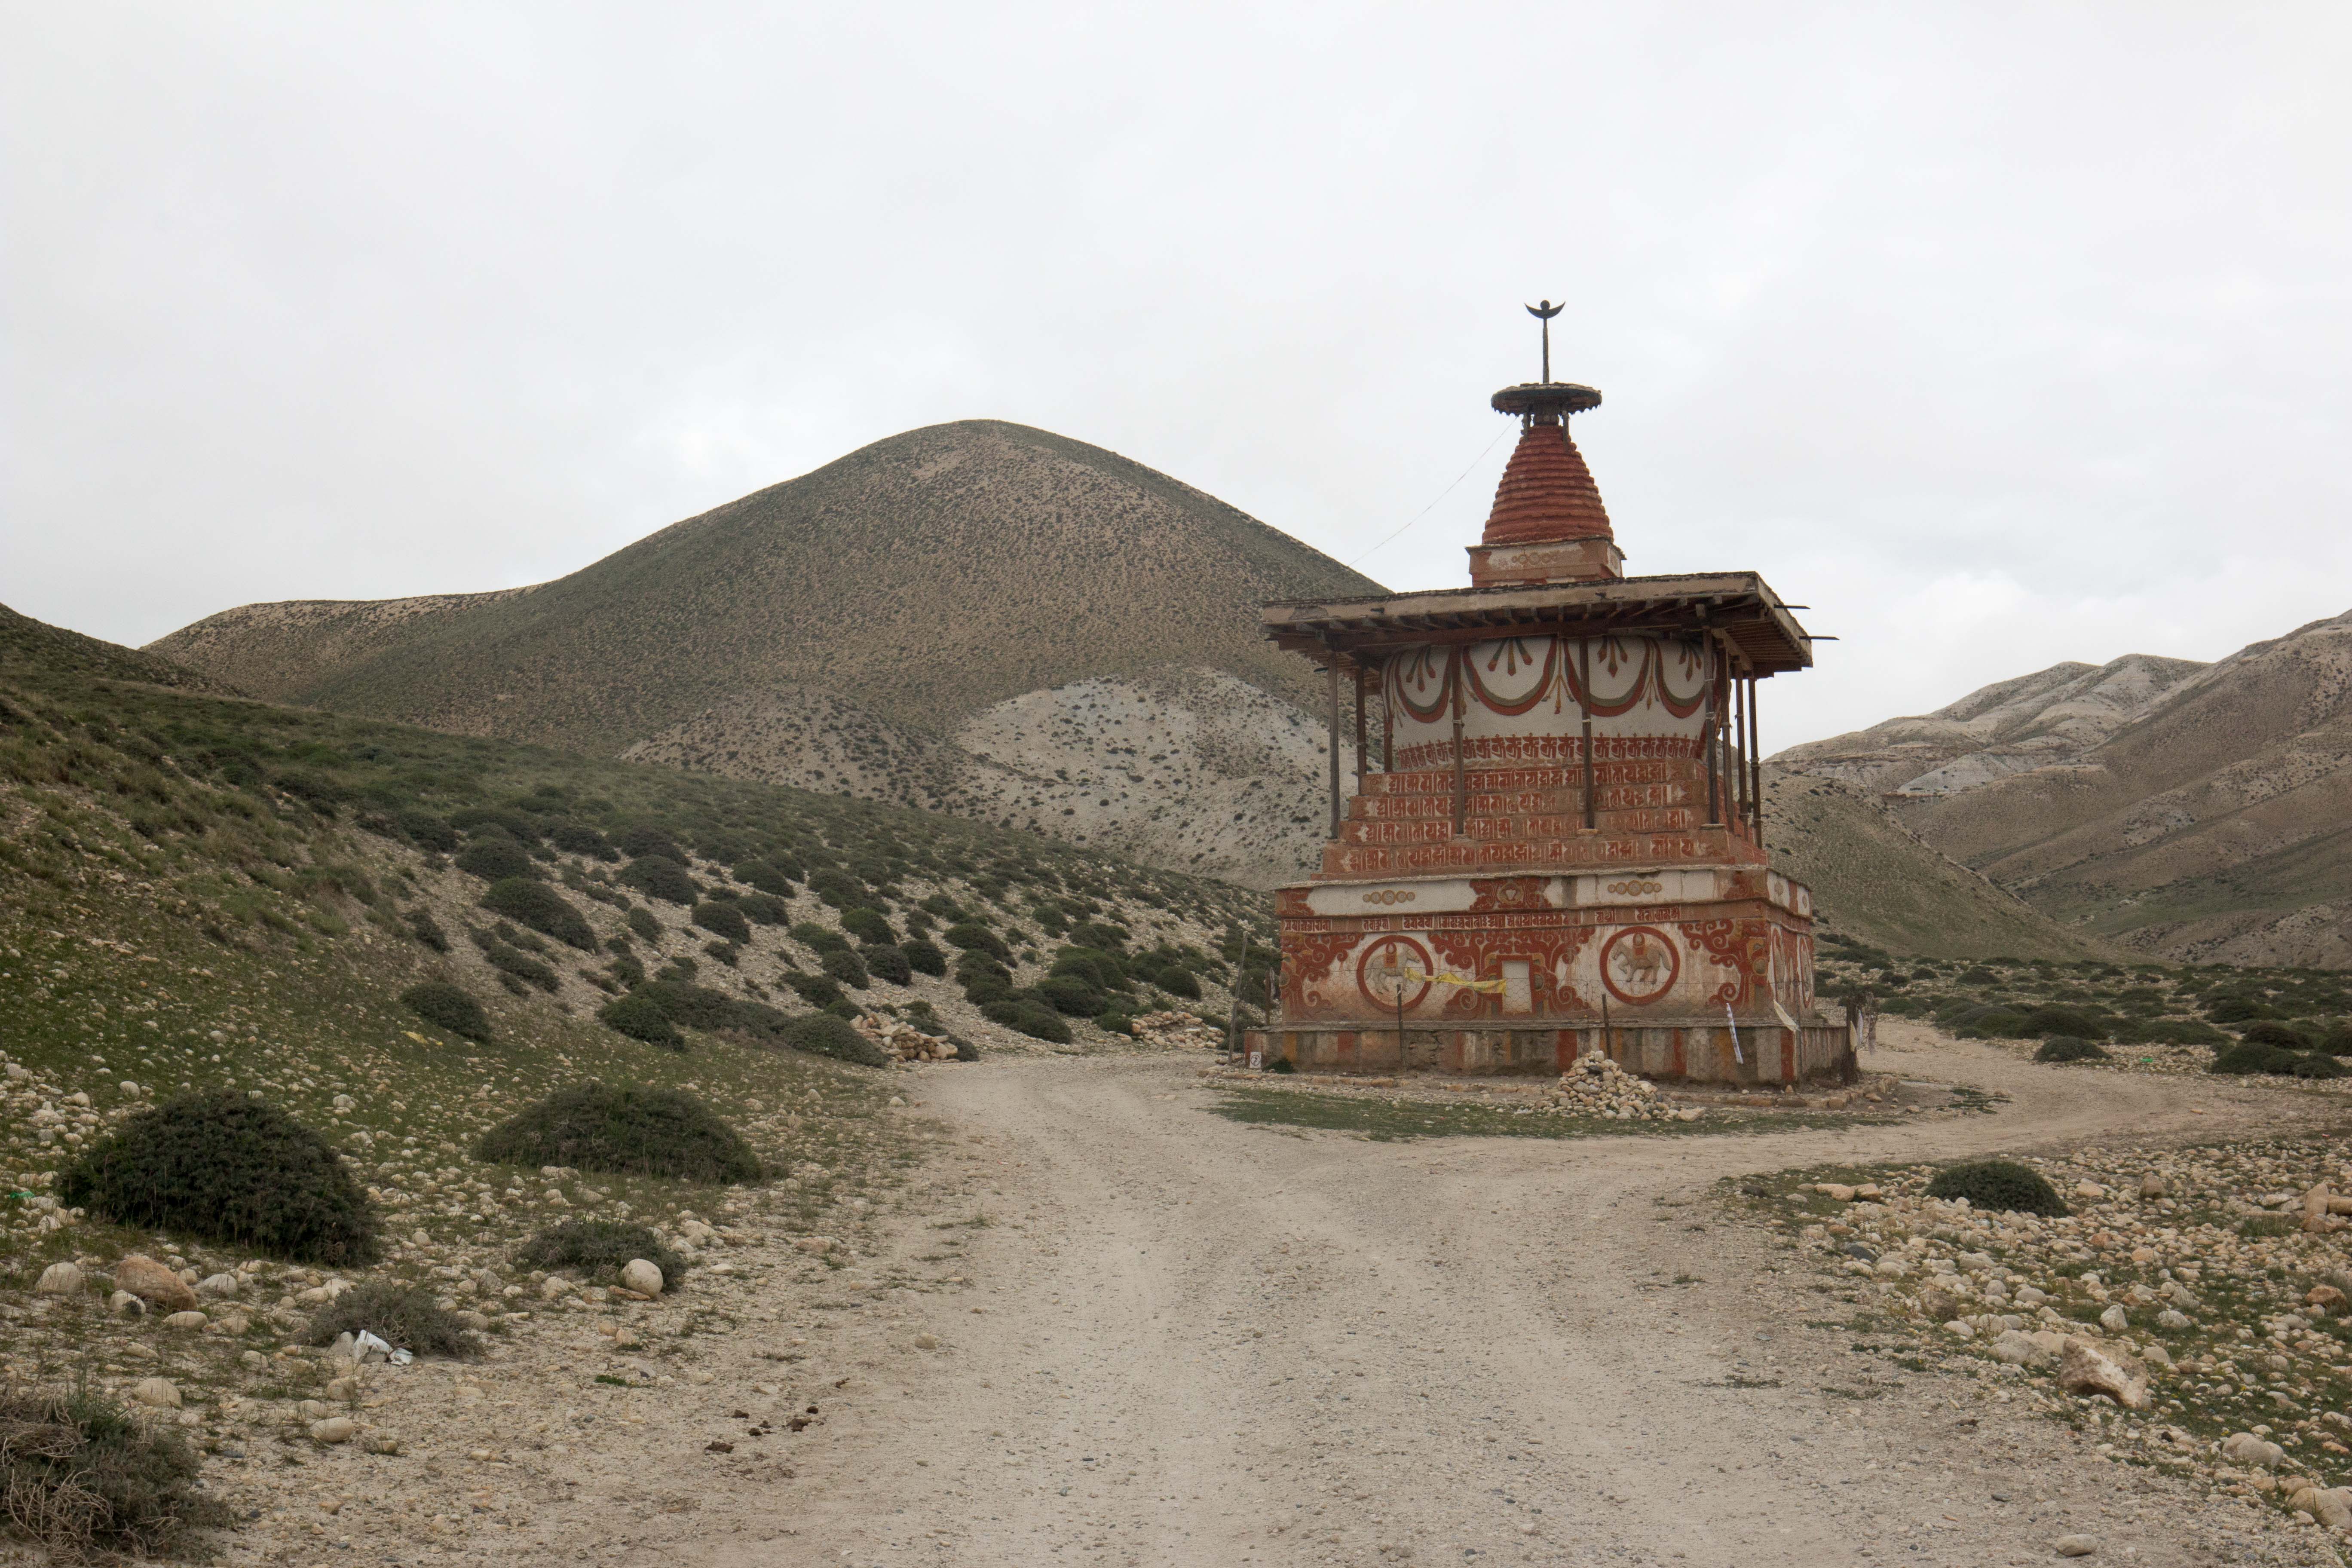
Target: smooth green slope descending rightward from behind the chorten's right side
x,y
1873,880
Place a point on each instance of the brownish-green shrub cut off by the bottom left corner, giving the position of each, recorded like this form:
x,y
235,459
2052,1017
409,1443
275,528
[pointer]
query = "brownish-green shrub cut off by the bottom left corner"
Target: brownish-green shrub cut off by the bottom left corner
x,y
81,1475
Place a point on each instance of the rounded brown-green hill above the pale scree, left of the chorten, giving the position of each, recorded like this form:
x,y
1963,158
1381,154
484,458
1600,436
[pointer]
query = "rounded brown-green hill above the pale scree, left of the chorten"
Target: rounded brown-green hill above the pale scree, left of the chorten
x,y
923,579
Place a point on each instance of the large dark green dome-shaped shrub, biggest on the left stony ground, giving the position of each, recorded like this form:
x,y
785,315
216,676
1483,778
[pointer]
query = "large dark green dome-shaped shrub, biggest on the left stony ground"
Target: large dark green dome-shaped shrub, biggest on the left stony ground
x,y
227,1170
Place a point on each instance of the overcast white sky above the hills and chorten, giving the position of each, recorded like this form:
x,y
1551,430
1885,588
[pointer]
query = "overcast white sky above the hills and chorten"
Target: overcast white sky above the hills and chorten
x,y
1998,335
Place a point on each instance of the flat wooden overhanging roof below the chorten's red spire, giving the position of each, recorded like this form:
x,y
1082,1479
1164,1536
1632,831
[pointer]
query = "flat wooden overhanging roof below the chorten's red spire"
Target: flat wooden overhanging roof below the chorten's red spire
x,y
1737,605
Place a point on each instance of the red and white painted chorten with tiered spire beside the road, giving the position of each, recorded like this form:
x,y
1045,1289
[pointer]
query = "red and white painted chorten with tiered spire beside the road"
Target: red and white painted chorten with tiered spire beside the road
x,y
1556,843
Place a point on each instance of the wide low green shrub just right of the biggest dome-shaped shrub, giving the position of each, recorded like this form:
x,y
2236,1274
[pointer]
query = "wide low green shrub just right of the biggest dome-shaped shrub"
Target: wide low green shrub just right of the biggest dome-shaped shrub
x,y
646,1132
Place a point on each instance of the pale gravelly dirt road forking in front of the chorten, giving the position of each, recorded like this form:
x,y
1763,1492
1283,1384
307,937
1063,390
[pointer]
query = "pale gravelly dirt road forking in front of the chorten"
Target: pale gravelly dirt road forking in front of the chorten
x,y
1212,1343
